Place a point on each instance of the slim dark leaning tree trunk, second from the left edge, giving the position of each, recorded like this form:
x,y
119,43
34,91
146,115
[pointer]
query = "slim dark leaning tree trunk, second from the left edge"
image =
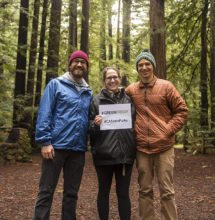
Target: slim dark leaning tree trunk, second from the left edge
x,y
32,66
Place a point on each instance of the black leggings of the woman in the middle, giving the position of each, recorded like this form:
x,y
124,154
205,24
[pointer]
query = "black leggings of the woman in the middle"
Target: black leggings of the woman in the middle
x,y
105,174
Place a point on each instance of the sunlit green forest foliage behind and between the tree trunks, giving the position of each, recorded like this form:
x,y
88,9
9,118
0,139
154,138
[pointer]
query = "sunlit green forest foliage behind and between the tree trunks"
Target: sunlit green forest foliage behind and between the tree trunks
x,y
183,48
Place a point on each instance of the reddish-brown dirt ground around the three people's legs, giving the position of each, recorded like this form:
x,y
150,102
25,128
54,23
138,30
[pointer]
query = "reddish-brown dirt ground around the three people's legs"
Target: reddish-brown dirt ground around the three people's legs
x,y
194,185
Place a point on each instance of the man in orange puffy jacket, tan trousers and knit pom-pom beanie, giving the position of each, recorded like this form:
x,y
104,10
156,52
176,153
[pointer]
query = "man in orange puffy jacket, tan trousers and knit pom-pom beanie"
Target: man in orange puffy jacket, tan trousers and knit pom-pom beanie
x,y
160,113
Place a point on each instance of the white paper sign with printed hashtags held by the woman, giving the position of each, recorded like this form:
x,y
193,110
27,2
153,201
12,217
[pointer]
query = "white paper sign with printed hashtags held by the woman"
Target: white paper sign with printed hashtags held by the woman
x,y
115,116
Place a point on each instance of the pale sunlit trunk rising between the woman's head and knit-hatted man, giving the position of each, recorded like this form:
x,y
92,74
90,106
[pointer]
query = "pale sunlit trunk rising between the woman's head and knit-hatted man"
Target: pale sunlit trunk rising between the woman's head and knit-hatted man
x,y
126,30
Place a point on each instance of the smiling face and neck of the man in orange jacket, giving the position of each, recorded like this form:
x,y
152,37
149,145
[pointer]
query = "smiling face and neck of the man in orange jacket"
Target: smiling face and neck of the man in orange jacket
x,y
146,71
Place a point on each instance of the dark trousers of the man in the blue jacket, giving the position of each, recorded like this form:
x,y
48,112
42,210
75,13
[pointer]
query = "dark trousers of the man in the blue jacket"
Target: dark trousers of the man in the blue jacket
x,y
72,163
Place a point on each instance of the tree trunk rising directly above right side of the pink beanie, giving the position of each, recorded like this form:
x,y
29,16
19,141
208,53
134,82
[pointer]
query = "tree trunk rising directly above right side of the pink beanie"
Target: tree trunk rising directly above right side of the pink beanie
x,y
85,26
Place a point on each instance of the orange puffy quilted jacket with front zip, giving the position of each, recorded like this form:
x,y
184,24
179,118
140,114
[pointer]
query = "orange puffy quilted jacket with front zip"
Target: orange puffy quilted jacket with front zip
x,y
160,113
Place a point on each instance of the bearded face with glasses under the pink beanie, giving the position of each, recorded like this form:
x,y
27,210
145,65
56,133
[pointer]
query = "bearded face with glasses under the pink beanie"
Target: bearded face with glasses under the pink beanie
x,y
78,68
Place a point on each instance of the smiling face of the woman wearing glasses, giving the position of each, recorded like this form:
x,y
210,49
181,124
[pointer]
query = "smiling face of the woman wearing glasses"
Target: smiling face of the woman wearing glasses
x,y
112,80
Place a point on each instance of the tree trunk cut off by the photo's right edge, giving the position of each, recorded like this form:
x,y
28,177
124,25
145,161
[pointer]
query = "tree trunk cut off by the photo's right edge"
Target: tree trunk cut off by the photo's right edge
x,y
212,63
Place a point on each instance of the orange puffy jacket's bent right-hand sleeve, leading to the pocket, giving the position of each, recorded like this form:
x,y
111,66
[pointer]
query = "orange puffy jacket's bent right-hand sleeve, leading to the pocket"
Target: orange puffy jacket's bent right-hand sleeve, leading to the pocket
x,y
179,109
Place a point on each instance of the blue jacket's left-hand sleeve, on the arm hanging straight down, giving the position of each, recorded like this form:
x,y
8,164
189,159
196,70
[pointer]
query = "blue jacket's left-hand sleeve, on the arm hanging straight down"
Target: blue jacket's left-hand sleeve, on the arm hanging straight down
x,y
45,115
